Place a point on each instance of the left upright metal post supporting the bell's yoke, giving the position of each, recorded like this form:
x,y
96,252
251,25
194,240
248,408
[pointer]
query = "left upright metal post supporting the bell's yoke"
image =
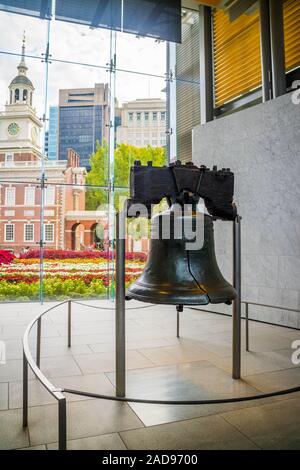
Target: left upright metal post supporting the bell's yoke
x,y
120,305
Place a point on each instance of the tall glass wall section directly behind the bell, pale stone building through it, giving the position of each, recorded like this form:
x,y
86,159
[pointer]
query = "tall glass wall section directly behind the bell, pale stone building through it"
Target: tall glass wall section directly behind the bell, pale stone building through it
x,y
140,131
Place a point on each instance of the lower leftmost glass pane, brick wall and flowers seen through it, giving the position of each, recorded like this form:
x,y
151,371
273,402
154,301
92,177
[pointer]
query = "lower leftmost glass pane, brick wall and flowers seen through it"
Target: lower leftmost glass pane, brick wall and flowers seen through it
x,y
19,236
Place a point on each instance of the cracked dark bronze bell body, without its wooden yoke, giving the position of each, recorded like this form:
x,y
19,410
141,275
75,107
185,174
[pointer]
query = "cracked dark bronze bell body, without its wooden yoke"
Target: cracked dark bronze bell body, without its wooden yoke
x,y
176,275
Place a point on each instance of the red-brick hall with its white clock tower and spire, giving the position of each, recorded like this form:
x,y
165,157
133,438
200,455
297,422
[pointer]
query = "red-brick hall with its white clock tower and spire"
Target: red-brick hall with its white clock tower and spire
x,y
61,221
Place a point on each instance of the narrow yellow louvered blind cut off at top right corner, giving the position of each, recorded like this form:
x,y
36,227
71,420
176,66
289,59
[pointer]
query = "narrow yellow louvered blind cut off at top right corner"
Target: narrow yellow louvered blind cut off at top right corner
x,y
292,33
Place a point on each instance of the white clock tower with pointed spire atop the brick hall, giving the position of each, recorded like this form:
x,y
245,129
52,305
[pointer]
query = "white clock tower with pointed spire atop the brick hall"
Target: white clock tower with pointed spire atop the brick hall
x,y
20,128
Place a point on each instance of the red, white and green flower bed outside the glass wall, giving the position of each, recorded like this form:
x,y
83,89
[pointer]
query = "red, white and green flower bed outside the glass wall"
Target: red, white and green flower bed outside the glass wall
x,y
63,278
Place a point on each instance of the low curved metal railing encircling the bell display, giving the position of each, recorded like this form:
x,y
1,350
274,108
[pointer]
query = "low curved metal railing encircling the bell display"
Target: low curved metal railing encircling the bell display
x,y
59,393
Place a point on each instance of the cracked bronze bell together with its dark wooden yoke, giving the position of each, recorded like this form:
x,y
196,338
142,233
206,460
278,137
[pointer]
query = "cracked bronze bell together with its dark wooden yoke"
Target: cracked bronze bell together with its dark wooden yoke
x,y
182,268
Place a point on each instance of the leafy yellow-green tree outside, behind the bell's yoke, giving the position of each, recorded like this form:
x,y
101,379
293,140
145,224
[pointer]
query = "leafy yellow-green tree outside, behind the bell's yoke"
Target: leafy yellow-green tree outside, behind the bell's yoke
x,y
125,155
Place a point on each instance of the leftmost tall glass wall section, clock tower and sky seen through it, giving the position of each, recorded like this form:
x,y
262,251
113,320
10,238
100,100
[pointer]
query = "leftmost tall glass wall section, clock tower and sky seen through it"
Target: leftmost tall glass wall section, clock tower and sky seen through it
x,y
24,64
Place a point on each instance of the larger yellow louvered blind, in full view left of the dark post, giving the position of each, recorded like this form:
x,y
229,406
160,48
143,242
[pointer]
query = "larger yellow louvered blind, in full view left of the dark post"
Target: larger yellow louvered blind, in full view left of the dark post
x,y
237,63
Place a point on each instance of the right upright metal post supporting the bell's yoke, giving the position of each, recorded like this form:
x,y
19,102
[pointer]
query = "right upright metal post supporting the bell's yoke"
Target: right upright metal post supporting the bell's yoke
x,y
236,312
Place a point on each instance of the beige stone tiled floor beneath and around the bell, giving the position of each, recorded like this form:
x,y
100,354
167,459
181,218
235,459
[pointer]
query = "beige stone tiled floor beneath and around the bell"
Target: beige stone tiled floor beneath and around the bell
x,y
198,365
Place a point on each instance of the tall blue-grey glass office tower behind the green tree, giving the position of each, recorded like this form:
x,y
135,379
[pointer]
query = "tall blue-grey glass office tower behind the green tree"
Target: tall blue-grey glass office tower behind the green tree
x,y
83,119
